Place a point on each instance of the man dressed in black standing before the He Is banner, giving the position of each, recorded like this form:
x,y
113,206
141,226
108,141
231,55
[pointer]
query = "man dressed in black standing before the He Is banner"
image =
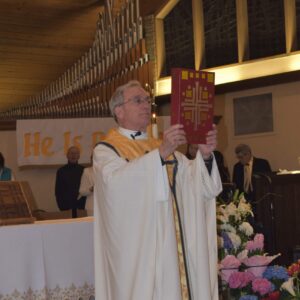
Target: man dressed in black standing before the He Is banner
x,y
67,183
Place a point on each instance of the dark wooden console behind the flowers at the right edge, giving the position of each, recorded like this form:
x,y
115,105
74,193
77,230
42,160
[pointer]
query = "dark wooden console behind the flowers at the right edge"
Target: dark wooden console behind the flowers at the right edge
x,y
278,210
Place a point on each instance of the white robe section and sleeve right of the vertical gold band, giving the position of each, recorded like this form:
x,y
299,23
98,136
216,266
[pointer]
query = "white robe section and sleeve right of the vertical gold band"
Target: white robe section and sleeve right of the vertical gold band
x,y
196,195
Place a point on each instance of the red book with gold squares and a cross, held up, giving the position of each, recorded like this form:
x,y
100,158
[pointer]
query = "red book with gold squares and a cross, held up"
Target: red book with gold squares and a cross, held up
x,y
192,102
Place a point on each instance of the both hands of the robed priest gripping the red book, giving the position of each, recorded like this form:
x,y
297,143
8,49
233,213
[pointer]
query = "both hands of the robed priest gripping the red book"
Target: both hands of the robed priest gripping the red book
x,y
175,136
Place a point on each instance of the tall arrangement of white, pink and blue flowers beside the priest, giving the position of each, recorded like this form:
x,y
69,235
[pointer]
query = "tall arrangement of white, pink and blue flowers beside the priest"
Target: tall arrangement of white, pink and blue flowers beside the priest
x,y
243,266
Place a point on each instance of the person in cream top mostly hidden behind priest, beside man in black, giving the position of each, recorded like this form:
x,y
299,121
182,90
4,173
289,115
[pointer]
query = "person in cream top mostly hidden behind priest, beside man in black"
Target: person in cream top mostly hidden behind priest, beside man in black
x,y
87,188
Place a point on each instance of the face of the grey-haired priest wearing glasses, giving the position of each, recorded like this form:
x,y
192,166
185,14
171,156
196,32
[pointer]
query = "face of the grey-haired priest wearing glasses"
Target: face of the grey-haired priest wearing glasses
x,y
135,112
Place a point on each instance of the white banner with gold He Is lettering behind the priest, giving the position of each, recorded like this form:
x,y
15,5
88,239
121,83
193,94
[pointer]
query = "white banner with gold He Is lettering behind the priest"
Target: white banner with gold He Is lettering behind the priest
x,y
45,142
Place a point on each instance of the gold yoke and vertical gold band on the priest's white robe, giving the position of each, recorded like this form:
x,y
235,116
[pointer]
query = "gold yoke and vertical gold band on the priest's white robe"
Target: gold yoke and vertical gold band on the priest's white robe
x,y
131,149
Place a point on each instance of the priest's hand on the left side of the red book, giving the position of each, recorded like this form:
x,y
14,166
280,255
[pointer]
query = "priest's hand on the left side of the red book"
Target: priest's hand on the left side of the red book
x,y
173,137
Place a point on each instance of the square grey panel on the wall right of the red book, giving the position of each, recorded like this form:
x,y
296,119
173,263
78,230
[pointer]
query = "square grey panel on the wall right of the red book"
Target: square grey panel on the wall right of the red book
x,y
253,114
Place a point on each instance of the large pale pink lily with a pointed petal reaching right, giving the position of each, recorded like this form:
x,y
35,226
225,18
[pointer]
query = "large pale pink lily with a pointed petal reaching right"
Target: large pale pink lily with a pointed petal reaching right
x,y
257,264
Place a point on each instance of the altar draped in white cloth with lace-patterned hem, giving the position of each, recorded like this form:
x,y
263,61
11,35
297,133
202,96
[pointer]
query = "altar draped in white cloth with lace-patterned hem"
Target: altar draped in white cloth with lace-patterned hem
x,y
47,260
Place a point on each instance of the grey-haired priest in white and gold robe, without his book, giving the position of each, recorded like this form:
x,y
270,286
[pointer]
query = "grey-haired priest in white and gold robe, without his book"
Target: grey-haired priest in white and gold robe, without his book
x,y
155,224
